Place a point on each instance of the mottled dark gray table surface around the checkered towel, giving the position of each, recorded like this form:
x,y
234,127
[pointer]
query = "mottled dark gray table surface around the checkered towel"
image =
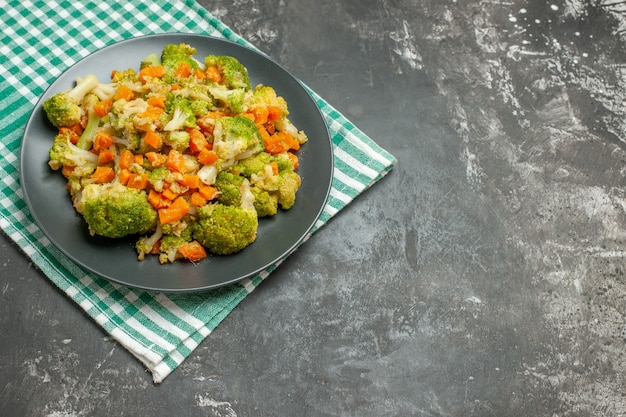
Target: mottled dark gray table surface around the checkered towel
x,y
483,277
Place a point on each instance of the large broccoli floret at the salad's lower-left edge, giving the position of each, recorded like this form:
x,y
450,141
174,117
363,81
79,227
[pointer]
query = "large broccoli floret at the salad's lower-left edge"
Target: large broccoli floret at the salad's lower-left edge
x,y
114,210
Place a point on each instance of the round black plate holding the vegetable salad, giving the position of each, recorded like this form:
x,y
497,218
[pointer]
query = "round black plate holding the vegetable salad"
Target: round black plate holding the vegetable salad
x,y
115,260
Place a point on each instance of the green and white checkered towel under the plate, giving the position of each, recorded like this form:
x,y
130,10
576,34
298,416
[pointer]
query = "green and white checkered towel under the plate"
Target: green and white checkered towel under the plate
x,y
40,39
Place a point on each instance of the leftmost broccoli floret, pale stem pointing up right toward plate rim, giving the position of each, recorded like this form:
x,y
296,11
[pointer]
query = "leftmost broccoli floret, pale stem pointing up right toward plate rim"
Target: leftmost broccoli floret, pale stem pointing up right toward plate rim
x,y
63,109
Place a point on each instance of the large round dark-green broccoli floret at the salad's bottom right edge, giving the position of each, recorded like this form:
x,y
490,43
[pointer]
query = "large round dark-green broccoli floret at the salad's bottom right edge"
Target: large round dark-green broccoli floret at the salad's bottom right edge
x,y
224,229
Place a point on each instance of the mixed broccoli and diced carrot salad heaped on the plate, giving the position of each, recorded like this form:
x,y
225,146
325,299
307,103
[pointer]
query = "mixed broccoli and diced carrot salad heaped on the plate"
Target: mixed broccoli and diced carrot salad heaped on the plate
x,y
186,155
